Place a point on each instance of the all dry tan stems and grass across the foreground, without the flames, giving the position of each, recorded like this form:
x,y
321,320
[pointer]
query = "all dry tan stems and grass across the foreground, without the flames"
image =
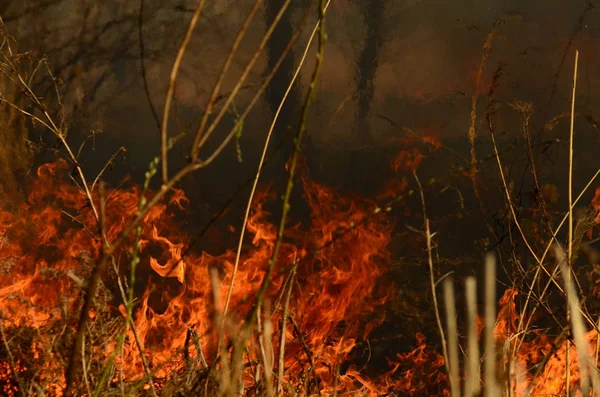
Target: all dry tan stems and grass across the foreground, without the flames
x,y
59,360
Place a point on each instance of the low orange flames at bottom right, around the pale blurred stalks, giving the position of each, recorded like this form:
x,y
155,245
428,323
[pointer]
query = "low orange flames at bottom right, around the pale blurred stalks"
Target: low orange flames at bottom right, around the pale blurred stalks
x,y
527,366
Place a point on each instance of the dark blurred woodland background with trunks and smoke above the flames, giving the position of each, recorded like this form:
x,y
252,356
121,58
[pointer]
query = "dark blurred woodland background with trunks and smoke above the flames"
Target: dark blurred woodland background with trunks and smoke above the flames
x,y
393,68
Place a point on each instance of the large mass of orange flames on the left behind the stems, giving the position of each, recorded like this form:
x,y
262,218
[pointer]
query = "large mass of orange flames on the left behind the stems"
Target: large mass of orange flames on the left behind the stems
x,y
48,246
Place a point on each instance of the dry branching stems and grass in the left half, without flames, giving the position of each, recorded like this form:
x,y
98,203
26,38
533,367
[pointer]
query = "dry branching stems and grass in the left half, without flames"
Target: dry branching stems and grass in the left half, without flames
x,y
83,370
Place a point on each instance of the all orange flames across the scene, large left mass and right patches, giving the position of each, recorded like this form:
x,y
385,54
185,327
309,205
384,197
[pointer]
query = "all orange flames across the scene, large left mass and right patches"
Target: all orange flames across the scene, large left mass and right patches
x,y
48,246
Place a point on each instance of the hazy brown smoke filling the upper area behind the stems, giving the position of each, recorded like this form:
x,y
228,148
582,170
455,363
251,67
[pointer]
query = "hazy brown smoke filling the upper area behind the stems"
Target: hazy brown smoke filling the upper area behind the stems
x,y
389,65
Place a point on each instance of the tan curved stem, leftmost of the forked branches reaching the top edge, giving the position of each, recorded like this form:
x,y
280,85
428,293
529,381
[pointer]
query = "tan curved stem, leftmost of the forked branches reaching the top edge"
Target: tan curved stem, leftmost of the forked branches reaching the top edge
x,y
171,89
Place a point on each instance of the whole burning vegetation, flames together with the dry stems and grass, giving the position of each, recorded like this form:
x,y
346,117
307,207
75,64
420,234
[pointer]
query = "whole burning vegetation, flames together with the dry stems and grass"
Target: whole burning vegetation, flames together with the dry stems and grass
x,y
103,293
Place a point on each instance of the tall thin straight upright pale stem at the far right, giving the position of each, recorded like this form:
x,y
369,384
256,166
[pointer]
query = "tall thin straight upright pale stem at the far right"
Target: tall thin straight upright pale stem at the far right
x,y
570,241
